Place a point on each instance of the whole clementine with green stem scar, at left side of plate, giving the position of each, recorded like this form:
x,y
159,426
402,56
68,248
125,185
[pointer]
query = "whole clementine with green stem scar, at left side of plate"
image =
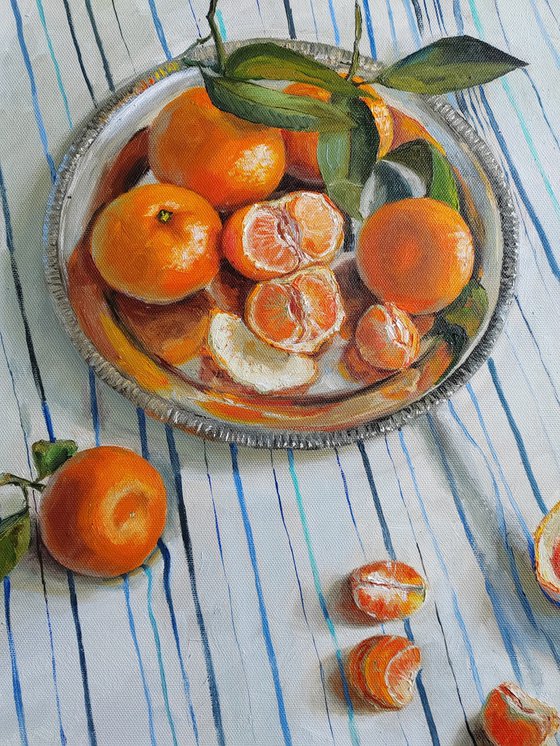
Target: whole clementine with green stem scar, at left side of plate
x,y
157,243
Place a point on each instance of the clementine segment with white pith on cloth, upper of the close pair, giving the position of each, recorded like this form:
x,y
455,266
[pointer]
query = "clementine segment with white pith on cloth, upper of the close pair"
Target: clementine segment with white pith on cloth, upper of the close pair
x,y
388,590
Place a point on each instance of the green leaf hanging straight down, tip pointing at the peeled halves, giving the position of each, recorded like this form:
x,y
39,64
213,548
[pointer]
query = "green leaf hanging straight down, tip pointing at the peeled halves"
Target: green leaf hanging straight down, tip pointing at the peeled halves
x,y
346,159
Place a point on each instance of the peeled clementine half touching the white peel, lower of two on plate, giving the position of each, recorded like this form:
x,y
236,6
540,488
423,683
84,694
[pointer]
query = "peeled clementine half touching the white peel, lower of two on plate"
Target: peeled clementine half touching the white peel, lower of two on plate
x,y
298,313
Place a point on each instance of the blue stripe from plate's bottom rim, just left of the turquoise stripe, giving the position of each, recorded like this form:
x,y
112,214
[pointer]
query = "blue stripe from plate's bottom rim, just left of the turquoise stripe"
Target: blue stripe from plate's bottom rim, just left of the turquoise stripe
x,y
262,608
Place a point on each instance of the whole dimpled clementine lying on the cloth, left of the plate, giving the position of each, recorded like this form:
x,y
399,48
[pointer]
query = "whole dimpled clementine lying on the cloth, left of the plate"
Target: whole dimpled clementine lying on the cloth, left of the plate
x,y
103,511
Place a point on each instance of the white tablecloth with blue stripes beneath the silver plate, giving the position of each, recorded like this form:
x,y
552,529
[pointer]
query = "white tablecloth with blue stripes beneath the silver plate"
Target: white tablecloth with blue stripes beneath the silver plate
x,y
236,634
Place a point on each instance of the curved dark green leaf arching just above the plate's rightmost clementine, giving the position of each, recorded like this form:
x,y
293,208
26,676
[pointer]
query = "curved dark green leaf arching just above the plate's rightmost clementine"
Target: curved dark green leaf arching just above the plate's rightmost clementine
x,y
432,167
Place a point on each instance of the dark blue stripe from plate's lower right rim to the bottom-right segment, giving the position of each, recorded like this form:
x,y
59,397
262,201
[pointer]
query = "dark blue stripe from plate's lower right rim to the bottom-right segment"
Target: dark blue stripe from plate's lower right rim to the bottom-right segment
x,y
491,591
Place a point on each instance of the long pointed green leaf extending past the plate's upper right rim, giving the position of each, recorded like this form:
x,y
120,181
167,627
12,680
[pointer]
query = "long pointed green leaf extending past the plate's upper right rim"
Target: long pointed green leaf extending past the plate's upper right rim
x,y
450,64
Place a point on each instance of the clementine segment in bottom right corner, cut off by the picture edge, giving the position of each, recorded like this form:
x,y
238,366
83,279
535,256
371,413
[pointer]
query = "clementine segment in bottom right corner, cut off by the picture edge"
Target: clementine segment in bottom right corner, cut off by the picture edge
x,y
511,717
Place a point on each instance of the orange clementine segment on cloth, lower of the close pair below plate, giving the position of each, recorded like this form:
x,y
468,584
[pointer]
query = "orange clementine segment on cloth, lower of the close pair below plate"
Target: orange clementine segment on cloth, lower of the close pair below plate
x,y
383,670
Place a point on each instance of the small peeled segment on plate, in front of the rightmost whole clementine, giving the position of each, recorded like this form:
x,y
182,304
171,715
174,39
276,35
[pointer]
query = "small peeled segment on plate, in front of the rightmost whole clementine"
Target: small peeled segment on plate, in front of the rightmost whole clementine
x,y
387,338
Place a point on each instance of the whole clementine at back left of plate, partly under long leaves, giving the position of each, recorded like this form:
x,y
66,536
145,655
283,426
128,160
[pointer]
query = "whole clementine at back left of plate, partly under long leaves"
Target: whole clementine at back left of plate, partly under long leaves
x,y
227,160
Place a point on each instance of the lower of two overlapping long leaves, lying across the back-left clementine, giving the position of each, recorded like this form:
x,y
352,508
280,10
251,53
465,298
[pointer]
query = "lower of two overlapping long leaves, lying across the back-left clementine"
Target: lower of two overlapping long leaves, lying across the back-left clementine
x,y
262,105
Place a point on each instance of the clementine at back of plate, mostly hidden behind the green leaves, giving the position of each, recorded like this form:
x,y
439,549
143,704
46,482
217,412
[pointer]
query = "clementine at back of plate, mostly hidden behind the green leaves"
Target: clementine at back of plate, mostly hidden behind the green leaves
x,y
301,147
